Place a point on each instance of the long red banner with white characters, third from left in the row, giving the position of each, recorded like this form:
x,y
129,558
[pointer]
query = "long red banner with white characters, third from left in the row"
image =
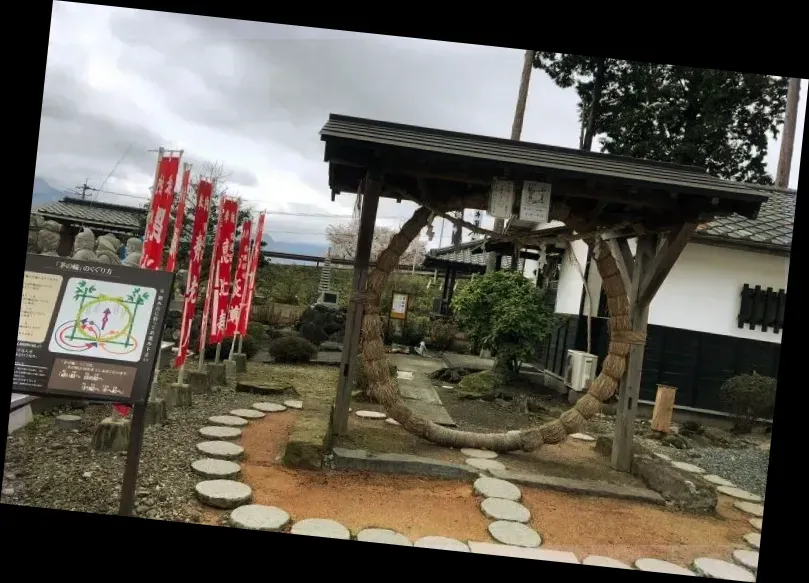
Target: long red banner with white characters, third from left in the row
x,y
196,252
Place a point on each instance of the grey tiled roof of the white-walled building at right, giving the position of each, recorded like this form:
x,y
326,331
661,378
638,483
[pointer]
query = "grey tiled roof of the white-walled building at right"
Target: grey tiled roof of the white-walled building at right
x,y
772,228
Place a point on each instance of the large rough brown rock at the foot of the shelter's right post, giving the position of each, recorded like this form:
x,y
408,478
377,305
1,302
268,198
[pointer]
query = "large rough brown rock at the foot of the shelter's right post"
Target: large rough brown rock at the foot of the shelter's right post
x,y
681,490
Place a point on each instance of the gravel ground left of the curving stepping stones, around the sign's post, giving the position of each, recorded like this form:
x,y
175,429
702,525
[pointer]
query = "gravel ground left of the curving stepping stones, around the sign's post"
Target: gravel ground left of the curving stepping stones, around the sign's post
x,y
52,468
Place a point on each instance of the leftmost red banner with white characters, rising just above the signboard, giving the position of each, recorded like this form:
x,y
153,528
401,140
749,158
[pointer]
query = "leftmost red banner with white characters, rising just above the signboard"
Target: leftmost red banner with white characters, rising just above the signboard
x,y
159,213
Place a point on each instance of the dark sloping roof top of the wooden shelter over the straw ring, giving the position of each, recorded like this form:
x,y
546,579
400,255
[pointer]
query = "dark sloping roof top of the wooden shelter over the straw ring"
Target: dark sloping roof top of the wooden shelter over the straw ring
x,y
688,179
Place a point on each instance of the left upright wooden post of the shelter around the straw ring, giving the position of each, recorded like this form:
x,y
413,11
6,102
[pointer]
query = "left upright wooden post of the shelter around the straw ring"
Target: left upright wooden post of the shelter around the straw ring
x,y
356,306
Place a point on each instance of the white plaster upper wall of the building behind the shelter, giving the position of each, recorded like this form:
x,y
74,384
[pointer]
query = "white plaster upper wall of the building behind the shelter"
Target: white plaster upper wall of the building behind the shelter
x,y
701,293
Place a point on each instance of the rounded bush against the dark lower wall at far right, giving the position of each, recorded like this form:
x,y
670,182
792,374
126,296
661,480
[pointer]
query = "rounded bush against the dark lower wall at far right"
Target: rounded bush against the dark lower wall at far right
x,y
748,398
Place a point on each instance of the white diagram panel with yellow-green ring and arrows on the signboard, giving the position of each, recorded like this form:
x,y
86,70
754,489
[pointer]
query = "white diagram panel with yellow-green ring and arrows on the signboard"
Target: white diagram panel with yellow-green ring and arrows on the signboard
x,y
102,319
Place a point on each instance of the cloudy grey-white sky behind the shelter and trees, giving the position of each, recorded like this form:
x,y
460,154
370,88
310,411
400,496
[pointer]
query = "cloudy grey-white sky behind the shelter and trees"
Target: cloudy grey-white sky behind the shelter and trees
x,y
120,82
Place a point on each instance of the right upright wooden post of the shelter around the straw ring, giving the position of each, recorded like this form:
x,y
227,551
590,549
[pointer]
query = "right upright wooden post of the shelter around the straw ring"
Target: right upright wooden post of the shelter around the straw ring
x,y
629,390
